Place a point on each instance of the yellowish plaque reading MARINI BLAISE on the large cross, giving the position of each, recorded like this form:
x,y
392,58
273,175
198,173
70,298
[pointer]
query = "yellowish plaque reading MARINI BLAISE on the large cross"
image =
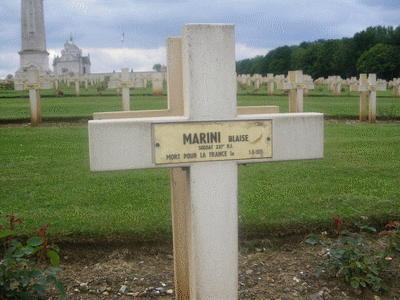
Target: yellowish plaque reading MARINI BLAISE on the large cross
x,y
211,141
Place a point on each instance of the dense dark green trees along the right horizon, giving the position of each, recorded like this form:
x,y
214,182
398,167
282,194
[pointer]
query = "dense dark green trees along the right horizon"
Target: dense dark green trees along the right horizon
x,y
374,50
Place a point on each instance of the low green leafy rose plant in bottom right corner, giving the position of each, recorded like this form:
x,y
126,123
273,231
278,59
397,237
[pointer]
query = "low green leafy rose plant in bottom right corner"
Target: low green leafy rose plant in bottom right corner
x,y
353,260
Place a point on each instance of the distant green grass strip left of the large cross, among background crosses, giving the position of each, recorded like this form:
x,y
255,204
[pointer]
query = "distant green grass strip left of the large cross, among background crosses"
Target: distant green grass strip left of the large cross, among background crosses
x,y
15,104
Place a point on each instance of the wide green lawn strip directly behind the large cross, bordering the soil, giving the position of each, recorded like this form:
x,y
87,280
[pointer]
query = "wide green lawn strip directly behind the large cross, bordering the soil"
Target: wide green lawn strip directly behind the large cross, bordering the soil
x,y
45,178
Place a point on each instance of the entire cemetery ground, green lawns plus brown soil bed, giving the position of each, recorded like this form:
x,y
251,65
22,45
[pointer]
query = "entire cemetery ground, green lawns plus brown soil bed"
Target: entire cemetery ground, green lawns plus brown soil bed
x,y
114,228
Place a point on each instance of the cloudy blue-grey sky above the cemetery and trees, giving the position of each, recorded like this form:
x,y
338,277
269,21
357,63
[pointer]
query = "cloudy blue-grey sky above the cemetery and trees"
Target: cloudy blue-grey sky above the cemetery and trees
x,y
261,25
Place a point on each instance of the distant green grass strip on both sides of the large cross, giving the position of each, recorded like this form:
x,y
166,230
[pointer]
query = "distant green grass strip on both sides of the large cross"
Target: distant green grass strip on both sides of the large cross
x,y
15,105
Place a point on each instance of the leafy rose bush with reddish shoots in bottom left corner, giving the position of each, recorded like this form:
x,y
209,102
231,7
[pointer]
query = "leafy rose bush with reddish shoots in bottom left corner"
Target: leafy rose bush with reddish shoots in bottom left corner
x,y
20,277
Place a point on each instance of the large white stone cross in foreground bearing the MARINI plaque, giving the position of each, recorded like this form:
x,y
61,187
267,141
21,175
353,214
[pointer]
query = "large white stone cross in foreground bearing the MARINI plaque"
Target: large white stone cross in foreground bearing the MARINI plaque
x,y
208,142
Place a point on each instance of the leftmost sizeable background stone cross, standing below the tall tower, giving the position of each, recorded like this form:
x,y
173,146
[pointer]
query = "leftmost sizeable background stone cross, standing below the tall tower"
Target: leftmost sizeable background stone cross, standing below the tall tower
x,y
34,85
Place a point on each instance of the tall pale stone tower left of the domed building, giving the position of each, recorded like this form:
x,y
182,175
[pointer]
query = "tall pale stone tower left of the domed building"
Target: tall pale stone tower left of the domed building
x,y
33,52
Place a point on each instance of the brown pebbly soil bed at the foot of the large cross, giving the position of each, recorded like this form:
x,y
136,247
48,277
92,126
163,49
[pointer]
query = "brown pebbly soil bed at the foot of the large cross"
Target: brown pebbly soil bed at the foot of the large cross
x,y
285,271
